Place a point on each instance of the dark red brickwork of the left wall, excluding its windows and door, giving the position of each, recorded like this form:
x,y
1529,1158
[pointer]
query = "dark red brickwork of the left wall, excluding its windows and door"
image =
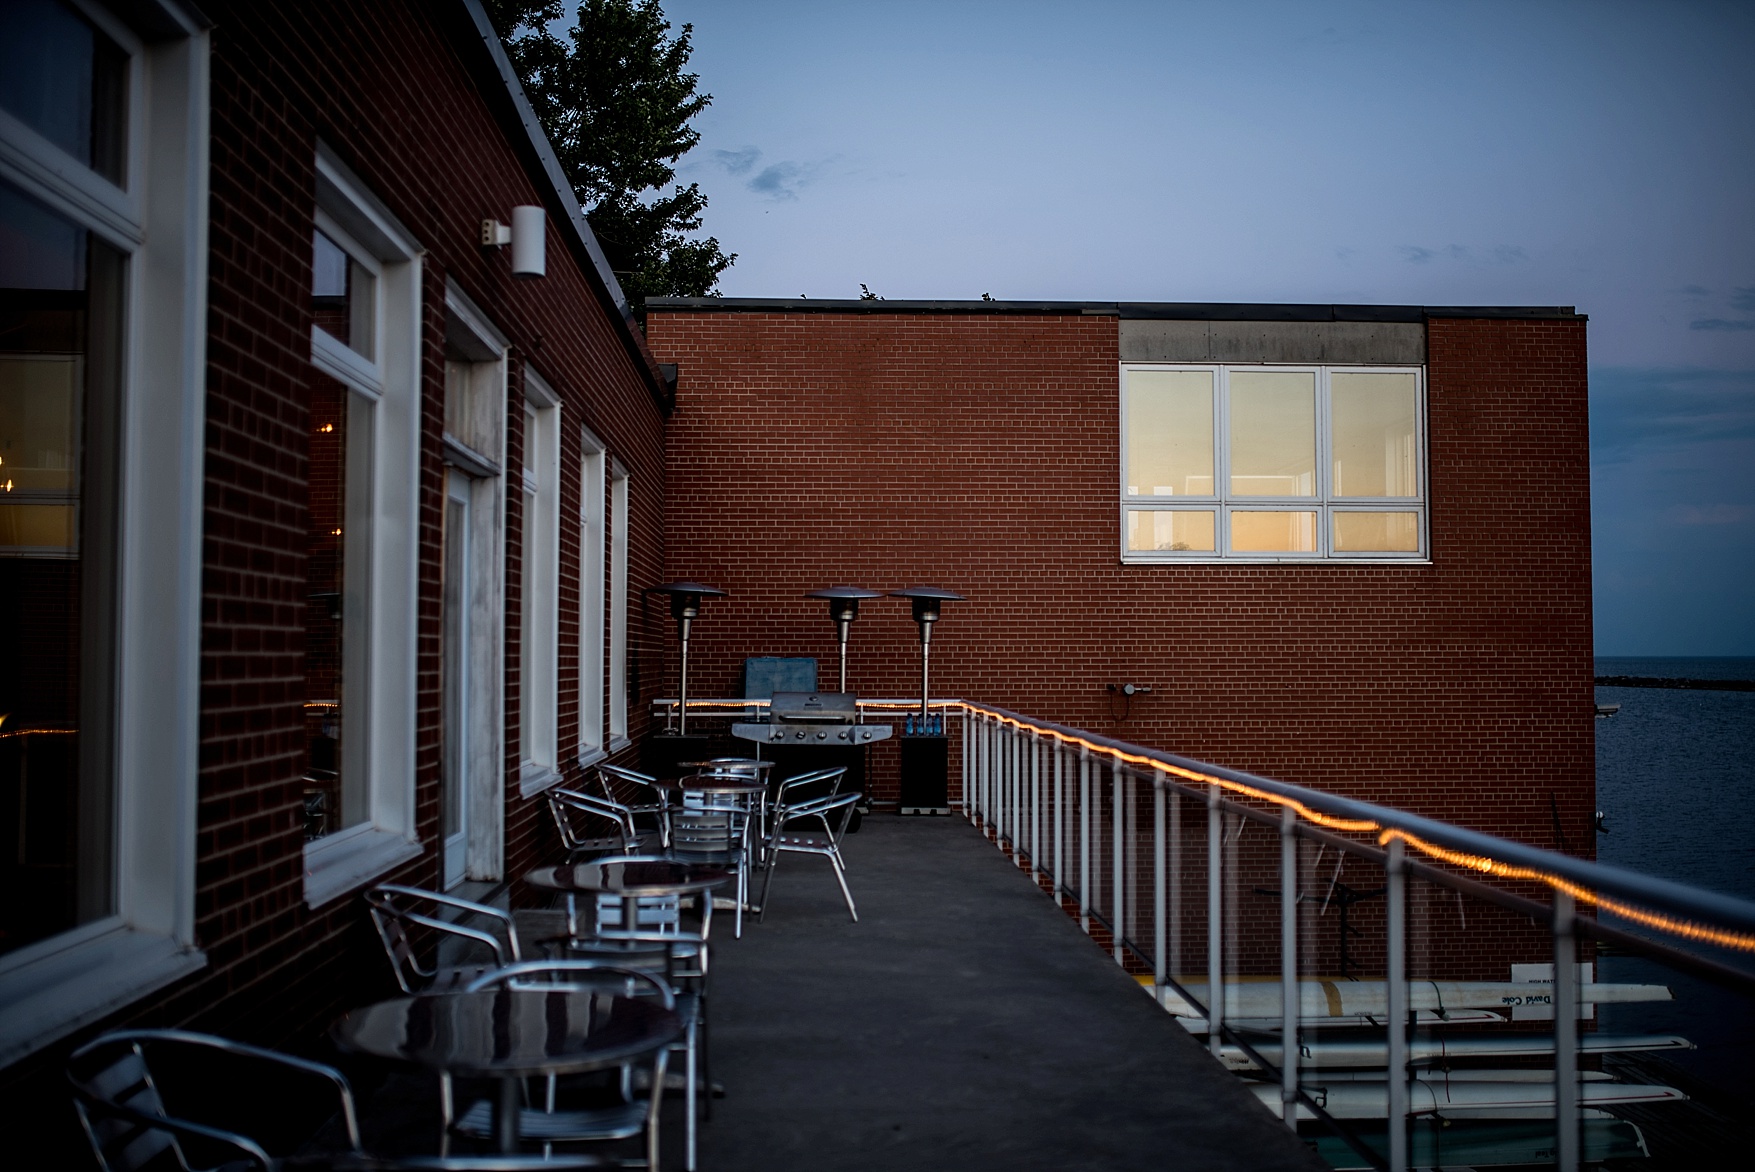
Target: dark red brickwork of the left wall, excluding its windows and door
x,y
383,89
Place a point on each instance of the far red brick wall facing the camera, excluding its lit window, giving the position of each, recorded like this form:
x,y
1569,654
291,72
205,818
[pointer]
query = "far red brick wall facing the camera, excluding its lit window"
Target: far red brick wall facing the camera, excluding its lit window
x,y
980,454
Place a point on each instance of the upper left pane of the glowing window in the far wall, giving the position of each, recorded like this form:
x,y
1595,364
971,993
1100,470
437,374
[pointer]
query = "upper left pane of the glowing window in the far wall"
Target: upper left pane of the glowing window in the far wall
x,y
1170,434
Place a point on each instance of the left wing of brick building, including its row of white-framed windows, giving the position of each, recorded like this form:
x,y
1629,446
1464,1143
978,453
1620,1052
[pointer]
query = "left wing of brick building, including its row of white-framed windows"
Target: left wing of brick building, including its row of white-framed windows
x,y
322,522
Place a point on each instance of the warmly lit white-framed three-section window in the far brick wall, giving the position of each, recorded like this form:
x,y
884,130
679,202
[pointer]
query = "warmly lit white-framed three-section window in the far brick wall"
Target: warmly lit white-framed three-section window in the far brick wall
x,y
1273,464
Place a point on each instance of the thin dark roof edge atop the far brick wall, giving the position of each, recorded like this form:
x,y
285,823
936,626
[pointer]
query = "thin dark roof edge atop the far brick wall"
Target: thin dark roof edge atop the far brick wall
x,y
1138,311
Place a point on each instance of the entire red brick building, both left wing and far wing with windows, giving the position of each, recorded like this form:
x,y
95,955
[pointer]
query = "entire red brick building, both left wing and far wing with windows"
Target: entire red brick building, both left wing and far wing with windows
x,y
326,532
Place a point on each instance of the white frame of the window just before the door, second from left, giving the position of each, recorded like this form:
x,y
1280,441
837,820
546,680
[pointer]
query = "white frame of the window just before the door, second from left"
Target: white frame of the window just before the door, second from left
x,y
383,547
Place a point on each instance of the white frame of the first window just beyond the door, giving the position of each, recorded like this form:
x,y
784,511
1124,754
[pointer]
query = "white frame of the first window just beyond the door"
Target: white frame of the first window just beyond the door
x,y
540,585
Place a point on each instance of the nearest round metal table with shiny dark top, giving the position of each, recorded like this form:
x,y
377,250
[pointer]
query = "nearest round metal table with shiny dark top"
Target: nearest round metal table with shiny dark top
x,y
510,1036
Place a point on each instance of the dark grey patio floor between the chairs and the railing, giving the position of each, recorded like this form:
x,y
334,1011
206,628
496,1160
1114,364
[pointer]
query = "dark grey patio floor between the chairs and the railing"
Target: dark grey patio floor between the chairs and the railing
x,y
963,1024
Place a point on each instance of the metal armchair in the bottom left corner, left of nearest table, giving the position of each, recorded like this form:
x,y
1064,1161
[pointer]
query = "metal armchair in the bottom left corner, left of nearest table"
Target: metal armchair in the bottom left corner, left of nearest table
x,y
122,1108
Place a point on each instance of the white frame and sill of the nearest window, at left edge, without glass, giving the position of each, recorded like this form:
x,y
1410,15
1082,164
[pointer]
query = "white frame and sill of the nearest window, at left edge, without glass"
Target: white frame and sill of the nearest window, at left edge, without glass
x,y
159,220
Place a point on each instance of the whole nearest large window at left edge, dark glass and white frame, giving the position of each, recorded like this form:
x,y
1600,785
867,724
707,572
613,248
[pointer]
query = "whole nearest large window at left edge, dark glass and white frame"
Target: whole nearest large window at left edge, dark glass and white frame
x,y
103,325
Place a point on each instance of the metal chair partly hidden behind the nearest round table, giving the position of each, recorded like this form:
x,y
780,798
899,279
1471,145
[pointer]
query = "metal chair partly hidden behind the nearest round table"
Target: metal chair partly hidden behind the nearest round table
x,y
550,1124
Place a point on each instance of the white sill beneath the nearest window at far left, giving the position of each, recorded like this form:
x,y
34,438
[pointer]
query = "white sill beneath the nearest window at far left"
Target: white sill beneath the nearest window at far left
x,y
52,996
